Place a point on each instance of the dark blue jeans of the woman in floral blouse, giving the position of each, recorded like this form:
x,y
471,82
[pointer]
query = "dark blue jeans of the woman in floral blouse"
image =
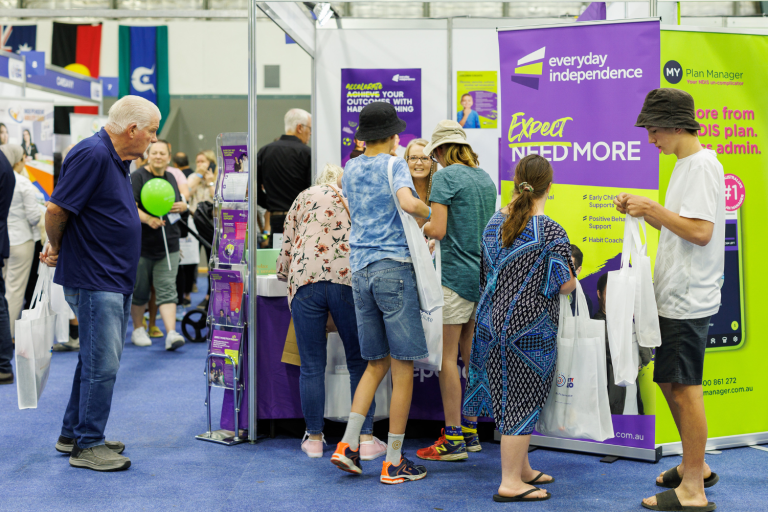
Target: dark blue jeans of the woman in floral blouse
x,y
310,307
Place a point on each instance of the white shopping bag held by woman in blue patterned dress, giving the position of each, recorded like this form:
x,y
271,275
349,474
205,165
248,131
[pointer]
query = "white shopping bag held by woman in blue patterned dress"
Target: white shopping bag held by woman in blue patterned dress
x,y
577,406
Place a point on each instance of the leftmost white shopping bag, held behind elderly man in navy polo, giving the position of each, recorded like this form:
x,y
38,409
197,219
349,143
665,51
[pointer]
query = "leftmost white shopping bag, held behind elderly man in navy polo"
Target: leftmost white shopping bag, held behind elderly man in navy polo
x,y
34,339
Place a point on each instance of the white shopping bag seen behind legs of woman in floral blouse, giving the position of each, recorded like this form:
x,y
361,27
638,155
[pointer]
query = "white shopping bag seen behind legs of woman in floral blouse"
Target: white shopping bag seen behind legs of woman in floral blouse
x,y
338,394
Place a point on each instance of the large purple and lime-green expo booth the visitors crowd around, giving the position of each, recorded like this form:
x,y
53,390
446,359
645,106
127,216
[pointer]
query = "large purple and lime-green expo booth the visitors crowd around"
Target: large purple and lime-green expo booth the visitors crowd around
x,y
570,92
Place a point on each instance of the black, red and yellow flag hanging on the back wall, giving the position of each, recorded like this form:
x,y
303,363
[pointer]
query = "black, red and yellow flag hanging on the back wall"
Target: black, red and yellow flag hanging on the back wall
x,y
76,48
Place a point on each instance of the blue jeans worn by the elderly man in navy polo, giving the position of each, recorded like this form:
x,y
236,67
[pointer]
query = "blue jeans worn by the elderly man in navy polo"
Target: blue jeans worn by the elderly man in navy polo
x,y
103,319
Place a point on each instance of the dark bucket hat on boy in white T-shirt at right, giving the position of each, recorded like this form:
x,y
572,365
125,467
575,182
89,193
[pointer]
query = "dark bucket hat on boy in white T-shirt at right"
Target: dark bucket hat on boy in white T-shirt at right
x,y
668,108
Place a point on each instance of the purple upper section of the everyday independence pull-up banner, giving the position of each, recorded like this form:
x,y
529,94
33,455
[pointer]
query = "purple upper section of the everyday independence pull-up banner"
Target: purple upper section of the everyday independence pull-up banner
x,y
572,94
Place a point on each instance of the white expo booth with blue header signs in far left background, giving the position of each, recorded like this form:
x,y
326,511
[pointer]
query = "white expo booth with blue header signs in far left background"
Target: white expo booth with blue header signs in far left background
x,y
27,101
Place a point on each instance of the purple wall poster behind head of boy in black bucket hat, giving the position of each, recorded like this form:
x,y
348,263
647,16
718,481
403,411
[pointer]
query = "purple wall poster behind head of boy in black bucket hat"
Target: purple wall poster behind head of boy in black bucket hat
x,y
359,87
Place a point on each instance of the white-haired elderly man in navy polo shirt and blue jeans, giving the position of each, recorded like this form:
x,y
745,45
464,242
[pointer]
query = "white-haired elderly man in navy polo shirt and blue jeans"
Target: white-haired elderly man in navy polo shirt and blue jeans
x,y
94,235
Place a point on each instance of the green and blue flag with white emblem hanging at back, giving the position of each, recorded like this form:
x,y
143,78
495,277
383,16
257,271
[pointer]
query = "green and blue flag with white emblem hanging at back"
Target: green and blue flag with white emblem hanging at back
x,y
144,65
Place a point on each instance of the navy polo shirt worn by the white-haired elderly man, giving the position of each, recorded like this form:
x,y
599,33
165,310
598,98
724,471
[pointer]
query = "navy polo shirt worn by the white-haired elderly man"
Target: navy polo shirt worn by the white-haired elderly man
x,y
102,239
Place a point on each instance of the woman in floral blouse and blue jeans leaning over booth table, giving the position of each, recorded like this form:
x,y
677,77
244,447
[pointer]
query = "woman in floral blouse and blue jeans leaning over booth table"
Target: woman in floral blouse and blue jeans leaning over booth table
x,y
315,262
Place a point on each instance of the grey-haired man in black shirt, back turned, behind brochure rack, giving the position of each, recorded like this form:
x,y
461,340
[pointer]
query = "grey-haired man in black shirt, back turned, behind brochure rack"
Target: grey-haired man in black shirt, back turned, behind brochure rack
x,y
285,168
